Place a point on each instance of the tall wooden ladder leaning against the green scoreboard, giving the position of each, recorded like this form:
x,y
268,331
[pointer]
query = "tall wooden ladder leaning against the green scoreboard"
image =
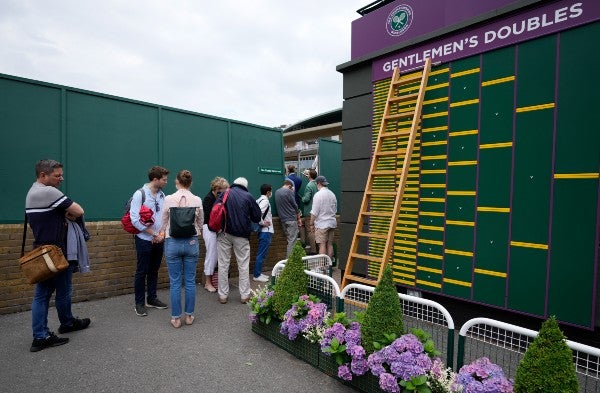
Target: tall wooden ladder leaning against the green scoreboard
x,y
388,174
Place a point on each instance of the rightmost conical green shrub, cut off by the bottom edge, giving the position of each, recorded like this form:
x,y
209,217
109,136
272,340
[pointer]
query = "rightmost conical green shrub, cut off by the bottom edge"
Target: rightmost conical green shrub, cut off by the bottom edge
x,y
547,366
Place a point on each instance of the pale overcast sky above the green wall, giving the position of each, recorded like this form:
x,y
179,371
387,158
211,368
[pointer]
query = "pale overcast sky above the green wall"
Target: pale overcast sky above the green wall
x,y
263,62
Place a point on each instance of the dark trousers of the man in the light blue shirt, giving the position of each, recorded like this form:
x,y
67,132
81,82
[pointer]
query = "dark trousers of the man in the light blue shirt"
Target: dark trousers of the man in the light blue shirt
x,y
149,256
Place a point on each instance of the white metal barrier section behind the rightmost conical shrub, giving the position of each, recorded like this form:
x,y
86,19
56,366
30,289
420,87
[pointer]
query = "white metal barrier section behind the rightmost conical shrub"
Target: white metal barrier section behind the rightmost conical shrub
x,y
505,345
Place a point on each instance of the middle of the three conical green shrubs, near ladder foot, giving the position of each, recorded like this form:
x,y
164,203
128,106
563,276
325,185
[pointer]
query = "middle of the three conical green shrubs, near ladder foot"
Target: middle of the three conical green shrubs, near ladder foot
x,y
383,315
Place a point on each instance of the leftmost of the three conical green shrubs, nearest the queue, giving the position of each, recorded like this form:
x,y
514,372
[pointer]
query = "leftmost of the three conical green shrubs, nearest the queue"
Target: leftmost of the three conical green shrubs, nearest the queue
x,y
292,283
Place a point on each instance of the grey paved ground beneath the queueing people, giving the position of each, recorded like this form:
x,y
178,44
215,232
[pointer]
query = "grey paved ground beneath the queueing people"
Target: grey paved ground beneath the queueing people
x,y
121,352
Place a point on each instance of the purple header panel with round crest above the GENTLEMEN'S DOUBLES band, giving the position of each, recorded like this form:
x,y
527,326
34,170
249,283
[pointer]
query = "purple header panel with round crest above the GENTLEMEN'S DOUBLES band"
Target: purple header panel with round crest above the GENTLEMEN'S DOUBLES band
x,y
406,19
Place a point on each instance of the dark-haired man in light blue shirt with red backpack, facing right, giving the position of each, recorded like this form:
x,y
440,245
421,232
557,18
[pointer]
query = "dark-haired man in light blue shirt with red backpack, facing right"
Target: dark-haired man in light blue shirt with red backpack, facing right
x,y
149,242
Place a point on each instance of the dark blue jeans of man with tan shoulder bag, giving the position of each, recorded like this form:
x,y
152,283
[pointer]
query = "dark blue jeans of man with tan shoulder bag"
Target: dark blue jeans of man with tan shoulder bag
x,y
62,284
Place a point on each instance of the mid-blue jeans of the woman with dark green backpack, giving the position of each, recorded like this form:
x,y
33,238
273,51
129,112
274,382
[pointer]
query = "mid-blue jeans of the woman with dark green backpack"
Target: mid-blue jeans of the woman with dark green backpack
x,y
182,257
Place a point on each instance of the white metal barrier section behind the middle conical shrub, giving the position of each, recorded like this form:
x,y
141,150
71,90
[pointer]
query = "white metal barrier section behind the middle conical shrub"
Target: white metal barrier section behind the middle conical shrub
x,y
419,313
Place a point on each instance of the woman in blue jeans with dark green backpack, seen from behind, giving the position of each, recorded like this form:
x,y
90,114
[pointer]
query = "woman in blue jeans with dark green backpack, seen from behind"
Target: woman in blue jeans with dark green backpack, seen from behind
x,y
181,253
